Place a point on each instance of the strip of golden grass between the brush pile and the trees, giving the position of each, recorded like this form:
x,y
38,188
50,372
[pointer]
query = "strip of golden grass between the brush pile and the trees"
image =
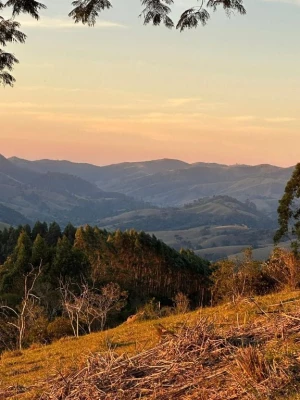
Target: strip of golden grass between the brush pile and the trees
x,y
41,362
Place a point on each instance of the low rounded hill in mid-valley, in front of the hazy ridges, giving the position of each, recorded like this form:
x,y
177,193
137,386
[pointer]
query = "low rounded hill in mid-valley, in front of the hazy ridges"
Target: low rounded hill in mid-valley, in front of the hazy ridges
x,y
215,211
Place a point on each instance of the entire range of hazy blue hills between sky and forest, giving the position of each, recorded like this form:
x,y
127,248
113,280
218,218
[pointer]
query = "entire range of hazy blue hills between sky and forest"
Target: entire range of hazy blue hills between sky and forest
x,y
169,198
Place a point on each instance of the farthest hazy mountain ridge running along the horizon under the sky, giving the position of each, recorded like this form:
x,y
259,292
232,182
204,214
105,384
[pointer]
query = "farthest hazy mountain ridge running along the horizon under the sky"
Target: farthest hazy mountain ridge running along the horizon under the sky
x,y
174,183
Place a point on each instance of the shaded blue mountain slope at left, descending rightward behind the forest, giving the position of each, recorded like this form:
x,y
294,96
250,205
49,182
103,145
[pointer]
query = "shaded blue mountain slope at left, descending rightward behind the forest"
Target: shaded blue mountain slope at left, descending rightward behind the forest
x,y
56,196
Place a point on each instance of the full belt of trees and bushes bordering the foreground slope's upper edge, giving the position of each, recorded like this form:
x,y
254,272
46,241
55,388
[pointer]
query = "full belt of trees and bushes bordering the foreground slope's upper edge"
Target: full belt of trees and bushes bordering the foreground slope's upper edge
x,y
58,282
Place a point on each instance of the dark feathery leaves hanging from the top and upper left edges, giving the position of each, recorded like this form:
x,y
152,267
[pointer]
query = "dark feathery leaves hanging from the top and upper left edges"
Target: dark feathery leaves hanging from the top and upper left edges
x,y
154,12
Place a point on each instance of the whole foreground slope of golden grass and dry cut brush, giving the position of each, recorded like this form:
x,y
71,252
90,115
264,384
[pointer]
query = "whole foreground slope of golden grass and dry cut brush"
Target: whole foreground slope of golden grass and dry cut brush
x,y
247,350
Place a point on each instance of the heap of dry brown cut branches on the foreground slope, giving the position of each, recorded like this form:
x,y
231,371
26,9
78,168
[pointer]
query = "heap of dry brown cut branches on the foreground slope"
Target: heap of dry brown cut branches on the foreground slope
x,y
198,362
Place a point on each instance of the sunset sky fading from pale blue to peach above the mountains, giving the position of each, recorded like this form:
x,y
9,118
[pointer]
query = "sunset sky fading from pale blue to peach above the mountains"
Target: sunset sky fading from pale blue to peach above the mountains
x,y
121,91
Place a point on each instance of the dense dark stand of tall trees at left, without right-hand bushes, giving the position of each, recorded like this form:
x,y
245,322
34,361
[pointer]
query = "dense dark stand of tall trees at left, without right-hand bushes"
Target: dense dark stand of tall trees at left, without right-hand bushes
x,y
46,272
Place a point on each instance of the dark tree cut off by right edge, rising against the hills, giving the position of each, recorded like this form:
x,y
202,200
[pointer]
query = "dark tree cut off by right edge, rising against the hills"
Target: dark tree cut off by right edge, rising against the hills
x,y
289,211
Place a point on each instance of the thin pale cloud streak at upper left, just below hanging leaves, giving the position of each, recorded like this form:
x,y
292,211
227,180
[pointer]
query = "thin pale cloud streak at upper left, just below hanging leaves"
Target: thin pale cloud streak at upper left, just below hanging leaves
x,y
58,23
